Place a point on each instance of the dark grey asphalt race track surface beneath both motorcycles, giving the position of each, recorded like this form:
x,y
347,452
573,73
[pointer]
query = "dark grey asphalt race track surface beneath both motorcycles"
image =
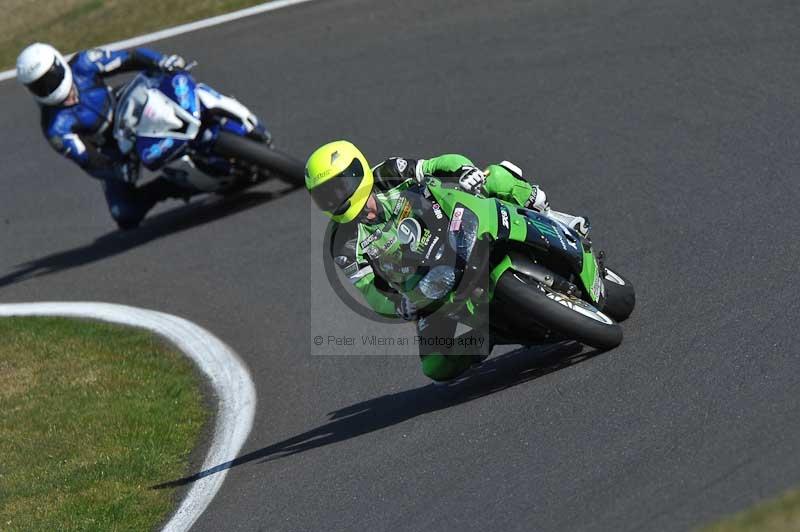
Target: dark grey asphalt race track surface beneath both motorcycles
x,y
671,123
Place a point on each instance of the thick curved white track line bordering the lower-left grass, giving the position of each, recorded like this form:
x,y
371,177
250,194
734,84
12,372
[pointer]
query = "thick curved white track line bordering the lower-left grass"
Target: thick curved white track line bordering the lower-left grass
x,y
236,394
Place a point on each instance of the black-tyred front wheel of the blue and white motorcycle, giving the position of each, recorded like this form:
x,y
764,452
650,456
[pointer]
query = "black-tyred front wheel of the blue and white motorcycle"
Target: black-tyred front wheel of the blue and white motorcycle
x,y
284,166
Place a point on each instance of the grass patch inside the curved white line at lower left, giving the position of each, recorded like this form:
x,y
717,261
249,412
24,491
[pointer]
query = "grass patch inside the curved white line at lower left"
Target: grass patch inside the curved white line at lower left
x,y
93,414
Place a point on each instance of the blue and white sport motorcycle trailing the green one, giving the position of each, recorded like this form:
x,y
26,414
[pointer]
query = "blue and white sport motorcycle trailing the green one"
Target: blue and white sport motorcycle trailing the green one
x,y
196,137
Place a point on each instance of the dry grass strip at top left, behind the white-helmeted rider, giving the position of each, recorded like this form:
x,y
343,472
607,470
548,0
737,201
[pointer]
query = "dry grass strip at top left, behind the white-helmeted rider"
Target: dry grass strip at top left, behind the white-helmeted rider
x,y
72,25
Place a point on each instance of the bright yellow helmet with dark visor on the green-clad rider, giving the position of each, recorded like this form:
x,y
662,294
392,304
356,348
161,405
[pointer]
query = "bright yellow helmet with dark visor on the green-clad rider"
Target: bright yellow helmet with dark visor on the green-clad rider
x,y
339,180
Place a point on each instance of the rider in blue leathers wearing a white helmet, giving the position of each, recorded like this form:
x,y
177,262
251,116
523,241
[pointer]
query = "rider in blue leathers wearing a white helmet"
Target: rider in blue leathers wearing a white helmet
x,y
77,118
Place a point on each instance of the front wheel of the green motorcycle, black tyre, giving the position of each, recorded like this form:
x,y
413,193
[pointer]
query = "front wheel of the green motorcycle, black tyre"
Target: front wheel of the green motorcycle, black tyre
x,y
535,304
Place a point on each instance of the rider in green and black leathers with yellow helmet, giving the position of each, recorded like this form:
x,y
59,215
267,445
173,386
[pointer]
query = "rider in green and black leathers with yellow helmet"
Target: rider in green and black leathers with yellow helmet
x,y
367,207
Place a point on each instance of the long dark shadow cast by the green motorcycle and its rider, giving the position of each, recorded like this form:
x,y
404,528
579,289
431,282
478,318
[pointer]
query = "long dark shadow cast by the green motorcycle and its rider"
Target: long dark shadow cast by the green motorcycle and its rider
x,y
494,375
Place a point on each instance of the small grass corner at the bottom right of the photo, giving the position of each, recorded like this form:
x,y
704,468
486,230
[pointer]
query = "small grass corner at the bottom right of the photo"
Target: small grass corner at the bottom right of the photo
x,y
777,515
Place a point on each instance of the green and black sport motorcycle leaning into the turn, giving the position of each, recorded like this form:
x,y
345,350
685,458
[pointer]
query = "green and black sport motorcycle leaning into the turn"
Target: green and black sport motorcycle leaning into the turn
x,y
524,277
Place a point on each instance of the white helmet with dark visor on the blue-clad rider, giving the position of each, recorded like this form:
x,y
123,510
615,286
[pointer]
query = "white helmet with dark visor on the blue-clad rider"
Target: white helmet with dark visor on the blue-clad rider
x,y
45,72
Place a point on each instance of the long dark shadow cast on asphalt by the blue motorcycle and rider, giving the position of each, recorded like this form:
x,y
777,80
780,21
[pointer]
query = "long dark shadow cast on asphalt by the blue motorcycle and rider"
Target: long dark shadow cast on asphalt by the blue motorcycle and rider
x,y
154,227
